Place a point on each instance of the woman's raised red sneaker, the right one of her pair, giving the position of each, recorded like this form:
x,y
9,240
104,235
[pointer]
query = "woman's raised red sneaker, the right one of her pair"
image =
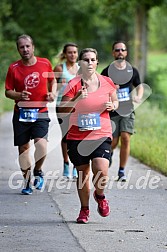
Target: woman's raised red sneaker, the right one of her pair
x,y
103,206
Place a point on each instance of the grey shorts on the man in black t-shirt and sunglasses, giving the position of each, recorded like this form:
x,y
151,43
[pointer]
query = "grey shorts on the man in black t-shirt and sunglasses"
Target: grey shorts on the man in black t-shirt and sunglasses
x,y
122,124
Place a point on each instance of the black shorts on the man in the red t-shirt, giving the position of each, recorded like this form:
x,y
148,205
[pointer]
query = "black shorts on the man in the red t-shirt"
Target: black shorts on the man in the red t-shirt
x,y
25,131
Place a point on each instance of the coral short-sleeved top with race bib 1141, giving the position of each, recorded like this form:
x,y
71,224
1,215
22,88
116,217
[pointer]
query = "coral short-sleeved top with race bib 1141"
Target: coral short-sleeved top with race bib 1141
x,y
90,111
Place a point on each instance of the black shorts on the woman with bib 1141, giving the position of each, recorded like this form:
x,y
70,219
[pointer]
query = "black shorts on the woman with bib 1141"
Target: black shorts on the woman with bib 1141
x,y
82,151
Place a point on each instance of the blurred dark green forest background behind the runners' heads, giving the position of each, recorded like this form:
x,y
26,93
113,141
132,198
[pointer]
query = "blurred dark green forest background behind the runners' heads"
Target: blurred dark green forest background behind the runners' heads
x,y
89,23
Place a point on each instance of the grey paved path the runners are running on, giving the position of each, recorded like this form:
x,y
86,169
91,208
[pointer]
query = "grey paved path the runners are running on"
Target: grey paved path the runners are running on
x,y
45,221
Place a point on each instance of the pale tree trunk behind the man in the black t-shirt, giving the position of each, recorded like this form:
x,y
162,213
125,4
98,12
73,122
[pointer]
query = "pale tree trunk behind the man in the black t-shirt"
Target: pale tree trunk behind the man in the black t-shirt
x,y
140,43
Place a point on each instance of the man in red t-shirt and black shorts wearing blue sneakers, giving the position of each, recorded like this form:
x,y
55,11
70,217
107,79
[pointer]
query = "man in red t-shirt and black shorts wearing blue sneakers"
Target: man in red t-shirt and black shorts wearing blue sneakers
x,y
30,82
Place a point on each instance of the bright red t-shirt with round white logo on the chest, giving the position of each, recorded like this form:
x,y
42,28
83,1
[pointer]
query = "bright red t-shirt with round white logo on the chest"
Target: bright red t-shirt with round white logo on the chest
x,y
33,78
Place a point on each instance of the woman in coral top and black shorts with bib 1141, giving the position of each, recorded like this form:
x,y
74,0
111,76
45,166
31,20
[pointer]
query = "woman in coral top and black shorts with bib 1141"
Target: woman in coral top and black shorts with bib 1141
x,y
89,97
